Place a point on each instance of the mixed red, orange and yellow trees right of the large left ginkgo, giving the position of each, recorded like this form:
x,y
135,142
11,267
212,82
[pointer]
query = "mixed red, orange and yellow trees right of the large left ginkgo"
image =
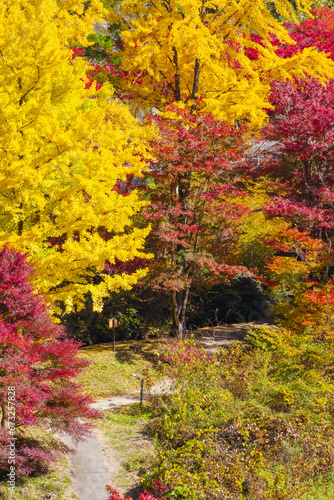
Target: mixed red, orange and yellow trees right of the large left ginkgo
x,y
232,195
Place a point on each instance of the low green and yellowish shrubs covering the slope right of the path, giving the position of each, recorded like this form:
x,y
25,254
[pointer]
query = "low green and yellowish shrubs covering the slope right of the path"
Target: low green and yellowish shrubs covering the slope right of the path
x,y
253,422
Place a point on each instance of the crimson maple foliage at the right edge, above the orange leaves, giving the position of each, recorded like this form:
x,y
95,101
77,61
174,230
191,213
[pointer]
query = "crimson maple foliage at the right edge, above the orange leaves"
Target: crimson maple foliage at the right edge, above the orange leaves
x,y
301,158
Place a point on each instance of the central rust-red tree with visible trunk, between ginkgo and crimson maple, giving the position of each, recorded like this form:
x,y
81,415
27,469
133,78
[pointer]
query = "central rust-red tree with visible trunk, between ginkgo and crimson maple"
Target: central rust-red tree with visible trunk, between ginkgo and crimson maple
x,y
195,205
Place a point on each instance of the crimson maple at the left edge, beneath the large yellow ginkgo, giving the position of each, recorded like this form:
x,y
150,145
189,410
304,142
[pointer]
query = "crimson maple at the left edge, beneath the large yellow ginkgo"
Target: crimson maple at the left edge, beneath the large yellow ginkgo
x,y
38,365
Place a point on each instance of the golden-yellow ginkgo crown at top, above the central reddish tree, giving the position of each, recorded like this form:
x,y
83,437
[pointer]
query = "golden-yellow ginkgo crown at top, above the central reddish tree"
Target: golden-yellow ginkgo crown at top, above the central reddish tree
x,y
215,55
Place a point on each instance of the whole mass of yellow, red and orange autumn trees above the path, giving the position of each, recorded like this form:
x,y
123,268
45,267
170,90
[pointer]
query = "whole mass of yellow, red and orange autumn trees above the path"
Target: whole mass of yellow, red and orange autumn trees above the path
x,y
187,144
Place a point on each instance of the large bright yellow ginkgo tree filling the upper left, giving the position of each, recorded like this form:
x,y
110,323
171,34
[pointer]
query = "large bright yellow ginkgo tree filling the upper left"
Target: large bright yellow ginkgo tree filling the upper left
x,y
63,148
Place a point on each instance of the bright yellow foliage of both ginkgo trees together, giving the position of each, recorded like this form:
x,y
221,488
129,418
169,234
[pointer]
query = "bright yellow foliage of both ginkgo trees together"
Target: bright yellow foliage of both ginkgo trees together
x,y
64,147
